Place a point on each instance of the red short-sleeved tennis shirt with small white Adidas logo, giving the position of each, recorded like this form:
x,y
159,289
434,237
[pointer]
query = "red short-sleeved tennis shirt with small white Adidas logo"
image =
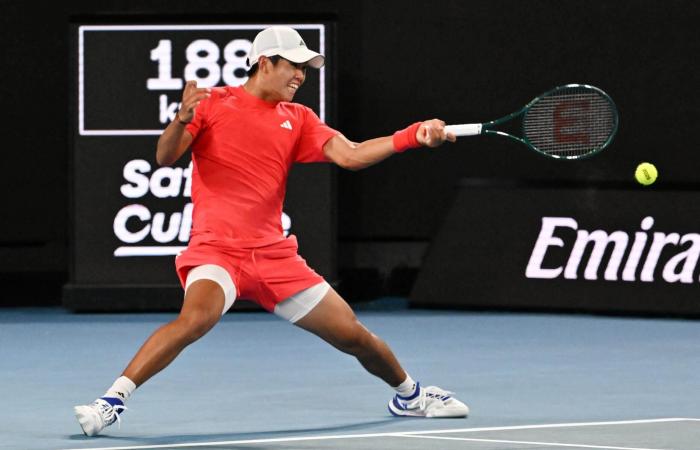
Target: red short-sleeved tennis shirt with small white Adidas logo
x,y
242,150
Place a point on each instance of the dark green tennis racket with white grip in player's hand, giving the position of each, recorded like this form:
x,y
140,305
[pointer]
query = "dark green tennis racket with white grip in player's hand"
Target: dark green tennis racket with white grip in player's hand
x,y
568,122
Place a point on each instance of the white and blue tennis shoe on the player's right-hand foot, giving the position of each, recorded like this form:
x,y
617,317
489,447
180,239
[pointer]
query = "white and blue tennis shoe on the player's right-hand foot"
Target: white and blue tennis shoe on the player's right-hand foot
x,y
428,401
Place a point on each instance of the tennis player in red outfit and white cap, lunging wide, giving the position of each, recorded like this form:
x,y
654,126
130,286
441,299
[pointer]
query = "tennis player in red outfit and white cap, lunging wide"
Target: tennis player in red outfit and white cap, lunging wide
x,y
244,141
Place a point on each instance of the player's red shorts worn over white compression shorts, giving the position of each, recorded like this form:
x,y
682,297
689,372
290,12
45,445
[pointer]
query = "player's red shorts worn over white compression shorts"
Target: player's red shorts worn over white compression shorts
x,y
264,271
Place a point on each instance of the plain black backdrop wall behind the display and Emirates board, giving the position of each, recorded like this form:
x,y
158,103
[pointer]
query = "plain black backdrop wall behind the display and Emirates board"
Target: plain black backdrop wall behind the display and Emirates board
x,y
396,62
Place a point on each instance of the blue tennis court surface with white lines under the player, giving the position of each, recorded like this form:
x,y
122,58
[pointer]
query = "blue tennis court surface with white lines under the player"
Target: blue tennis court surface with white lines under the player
x,y
532,381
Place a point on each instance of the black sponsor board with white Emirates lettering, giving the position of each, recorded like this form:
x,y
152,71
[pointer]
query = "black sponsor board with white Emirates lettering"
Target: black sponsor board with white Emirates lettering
x,y
562,248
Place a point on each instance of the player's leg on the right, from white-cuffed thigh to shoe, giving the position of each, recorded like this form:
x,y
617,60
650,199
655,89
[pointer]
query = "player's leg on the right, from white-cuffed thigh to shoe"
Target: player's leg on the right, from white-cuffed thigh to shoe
x,y
333,320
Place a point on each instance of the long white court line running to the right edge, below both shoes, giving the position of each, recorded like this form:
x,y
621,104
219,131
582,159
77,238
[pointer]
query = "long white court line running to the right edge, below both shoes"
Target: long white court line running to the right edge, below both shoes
x,y
394,434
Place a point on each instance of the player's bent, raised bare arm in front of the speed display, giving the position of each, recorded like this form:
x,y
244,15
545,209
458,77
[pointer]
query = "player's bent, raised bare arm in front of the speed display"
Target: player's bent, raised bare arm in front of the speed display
x,y
175,139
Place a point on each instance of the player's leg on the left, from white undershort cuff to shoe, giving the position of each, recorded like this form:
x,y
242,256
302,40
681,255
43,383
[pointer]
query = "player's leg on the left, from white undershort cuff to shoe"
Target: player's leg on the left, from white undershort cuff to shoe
x,y
209,292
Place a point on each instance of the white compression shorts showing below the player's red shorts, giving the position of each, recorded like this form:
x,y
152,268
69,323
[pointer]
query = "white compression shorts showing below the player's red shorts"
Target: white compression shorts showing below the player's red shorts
x,y
291,309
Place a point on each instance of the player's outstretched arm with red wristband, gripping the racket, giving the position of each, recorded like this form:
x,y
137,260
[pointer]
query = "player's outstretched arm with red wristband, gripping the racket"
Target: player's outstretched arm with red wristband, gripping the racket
x,y
356,156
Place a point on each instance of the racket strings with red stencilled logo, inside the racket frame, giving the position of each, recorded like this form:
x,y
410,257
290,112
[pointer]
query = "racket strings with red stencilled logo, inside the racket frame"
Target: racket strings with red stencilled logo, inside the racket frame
x,y
570,122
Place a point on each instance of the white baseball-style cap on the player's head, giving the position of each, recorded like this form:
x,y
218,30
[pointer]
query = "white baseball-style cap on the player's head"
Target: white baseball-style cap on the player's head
x,y
285,42
